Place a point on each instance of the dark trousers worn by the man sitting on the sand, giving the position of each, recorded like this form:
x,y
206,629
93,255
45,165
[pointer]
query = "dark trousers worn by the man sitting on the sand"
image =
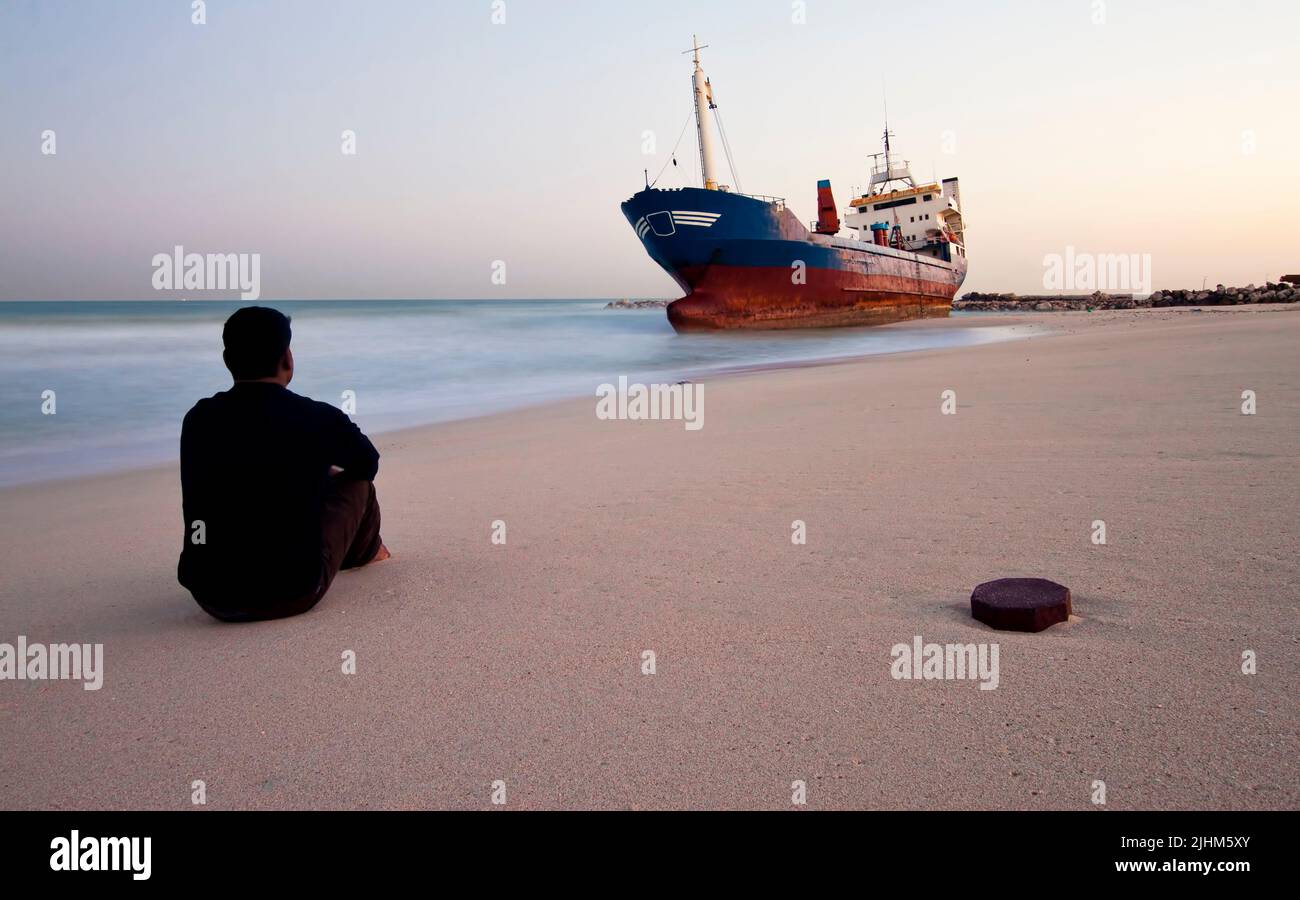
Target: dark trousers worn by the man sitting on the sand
x,y
350,538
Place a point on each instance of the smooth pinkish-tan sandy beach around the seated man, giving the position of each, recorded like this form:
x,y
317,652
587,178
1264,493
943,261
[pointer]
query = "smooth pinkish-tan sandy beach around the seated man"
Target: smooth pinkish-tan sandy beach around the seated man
x,y
523,663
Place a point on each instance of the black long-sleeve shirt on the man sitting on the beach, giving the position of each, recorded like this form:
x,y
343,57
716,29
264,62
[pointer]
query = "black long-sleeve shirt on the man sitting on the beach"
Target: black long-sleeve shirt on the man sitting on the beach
x,y
255,465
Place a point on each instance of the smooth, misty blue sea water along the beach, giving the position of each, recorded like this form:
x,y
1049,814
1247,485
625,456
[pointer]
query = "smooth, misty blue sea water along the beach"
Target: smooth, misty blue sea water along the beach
x,y
124,374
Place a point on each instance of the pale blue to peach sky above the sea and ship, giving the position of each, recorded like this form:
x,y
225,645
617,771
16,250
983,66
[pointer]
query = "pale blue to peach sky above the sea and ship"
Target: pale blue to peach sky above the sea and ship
x,y
1167,129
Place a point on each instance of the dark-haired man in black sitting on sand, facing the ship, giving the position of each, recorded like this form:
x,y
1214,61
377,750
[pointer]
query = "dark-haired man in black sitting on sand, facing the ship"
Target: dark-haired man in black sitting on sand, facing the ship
x,y
278,490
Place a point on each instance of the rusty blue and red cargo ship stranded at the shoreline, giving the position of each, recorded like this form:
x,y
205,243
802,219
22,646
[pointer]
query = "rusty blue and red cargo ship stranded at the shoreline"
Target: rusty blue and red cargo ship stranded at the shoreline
x,y
747,261
